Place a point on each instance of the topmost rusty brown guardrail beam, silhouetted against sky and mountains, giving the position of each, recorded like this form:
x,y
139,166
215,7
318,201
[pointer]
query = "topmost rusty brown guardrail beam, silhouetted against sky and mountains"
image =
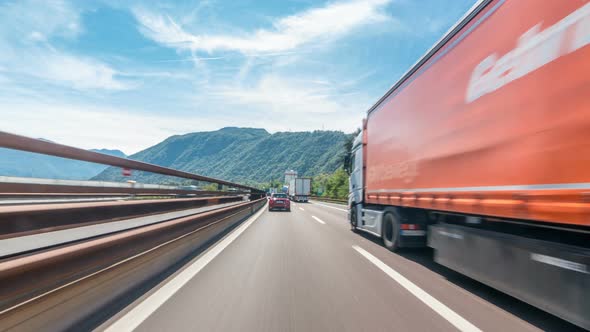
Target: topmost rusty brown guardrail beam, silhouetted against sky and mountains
x,y
18,142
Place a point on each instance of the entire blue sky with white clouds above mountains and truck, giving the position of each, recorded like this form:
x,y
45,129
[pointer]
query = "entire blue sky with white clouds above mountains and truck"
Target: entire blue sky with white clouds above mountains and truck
x,y
128,74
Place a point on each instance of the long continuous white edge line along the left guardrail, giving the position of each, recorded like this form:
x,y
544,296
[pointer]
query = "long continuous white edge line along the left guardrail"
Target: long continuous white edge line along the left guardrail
x,y
132,319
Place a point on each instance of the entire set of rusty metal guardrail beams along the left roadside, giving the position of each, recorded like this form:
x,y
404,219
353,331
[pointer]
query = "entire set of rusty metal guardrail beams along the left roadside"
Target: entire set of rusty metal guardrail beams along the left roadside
x,y
75,282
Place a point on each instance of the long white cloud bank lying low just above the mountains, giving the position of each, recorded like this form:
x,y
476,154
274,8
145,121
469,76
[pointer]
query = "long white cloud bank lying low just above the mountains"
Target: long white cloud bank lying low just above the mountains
x,y
275,104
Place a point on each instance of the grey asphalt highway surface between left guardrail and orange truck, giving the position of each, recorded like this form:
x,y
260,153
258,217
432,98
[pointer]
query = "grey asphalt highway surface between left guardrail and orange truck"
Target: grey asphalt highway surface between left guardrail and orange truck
x,y
306,271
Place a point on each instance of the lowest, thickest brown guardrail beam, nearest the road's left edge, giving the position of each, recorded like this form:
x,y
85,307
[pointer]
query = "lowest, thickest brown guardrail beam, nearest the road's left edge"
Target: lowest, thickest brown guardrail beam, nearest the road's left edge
x,y
65,287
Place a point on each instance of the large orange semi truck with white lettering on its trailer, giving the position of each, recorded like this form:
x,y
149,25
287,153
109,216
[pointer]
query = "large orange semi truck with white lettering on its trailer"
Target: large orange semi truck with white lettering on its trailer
x,y
482,152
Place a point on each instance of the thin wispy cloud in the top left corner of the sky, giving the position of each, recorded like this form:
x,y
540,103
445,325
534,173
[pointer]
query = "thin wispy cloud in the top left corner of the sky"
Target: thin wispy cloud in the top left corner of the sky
x,y
26,48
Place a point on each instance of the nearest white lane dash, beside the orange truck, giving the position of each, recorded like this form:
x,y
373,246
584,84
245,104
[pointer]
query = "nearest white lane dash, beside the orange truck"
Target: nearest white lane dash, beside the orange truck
x,y
459,322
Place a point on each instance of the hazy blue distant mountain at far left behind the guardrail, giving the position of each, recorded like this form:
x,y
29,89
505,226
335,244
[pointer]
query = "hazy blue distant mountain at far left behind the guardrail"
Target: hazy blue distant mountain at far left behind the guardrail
x,y
28,164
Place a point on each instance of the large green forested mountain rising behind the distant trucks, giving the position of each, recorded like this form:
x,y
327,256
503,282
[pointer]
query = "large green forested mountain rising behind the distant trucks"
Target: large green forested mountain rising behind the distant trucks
x,y
244,155
